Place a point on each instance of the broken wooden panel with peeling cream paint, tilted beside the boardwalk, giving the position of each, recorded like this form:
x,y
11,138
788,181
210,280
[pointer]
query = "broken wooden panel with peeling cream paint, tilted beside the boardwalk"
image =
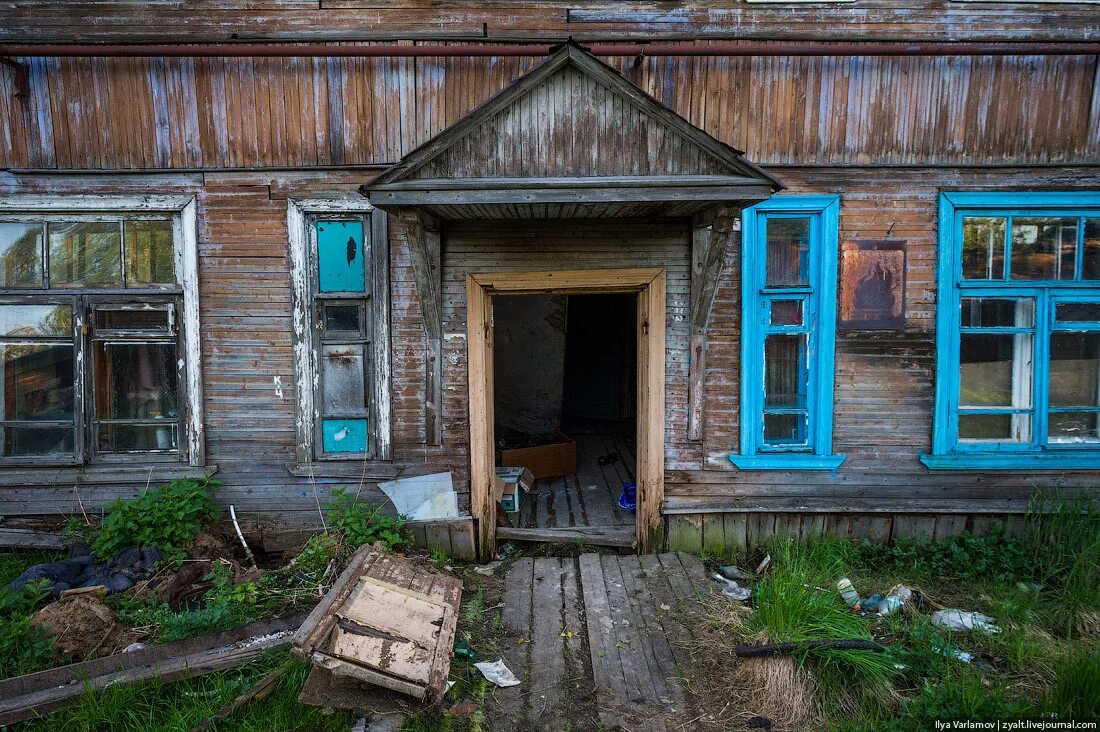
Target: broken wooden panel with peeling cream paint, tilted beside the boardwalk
x,y
386,622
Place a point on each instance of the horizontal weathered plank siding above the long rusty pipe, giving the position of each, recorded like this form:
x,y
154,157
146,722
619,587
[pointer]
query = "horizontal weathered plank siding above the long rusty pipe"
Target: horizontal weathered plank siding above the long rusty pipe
x,y
222,20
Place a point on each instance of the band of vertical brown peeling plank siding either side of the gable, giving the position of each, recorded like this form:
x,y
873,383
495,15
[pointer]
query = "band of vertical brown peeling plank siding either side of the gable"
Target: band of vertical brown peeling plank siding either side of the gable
x,y
294,113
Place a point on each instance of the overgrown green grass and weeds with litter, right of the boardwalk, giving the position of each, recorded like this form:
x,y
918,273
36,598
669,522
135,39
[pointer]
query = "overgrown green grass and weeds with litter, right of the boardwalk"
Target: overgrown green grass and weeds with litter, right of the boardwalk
x,y
1041,586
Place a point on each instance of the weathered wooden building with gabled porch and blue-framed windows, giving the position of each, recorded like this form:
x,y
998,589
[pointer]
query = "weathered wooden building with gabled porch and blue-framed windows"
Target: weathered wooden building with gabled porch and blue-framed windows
x,y
801,269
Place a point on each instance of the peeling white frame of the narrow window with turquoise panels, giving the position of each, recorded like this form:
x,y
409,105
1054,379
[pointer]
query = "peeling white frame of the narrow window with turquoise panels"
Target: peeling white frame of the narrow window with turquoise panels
x,y
301,214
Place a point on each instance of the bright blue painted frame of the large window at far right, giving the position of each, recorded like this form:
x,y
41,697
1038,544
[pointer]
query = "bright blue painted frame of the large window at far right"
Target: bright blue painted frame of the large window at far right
x,y
948,452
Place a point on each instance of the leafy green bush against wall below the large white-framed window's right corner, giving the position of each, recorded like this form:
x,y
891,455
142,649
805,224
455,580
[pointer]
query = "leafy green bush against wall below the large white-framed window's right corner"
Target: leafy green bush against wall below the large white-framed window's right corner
x,y
169,518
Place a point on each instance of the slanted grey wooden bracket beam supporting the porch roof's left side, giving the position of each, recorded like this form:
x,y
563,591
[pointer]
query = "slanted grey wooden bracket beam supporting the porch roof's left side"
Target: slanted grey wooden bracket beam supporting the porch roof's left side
x,y
422,233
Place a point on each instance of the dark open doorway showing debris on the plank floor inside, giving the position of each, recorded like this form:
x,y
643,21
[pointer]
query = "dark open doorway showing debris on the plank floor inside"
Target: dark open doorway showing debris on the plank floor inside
x,y
566,384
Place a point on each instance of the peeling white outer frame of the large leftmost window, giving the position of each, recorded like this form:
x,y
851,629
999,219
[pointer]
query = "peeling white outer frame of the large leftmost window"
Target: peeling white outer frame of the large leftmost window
x,y
183,211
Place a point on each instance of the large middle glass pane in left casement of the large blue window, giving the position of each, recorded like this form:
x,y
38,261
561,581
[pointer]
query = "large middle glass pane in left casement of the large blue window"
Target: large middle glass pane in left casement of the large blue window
x,y
996,370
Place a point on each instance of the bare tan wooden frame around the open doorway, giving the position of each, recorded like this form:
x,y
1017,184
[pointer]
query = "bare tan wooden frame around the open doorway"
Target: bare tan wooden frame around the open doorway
x,y
651,288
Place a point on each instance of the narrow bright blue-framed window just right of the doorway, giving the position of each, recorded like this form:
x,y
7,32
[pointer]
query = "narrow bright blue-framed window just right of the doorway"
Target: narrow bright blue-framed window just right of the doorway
x,y
789,261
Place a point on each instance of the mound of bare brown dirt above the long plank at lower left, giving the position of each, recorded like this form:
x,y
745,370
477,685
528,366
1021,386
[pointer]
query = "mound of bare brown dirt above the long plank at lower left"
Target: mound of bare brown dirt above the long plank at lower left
x,y
84,628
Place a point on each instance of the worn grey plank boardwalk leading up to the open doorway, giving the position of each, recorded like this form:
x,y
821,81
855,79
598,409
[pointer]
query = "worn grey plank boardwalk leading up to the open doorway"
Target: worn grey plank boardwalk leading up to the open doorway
x,y
597,641
